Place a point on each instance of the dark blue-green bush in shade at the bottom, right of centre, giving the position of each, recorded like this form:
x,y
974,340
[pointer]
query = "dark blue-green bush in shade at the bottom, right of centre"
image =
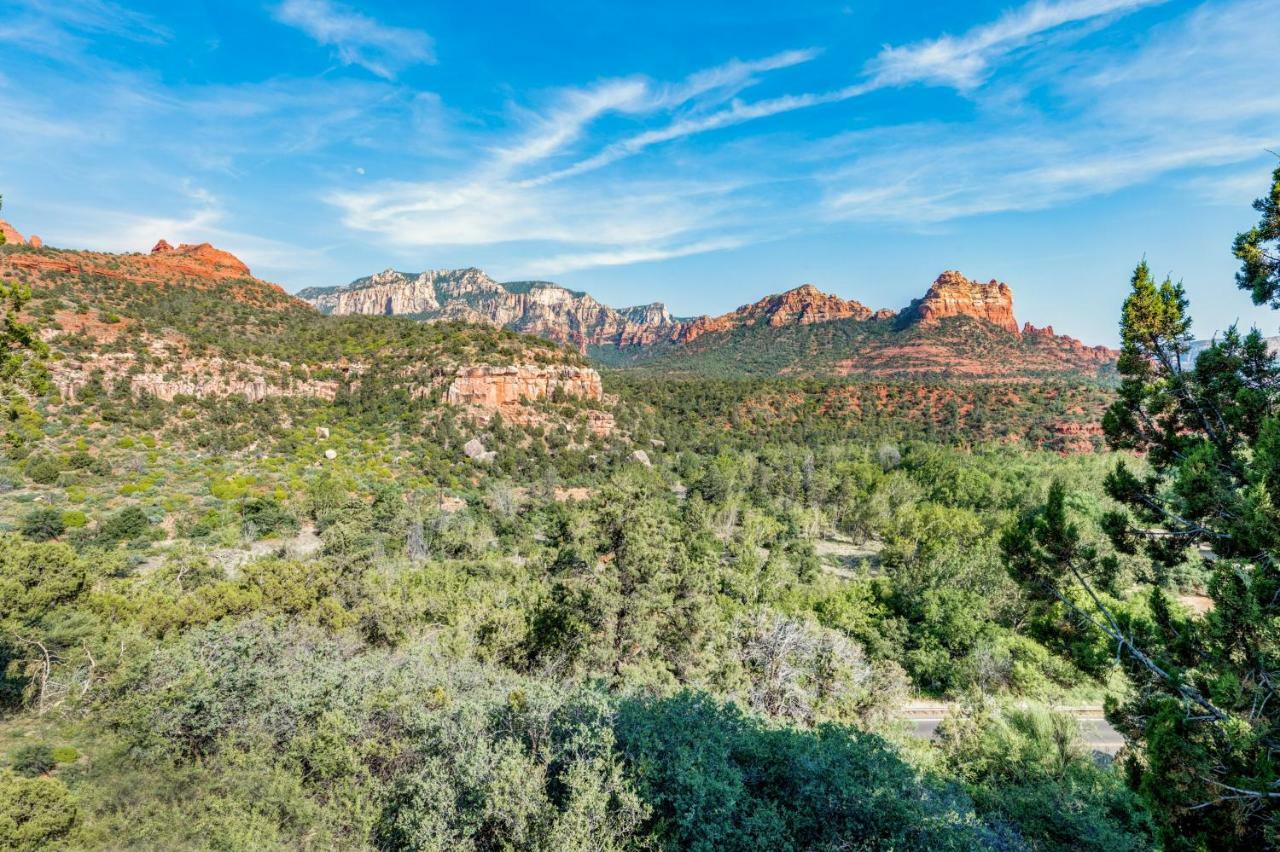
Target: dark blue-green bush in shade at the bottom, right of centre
x,y
717,780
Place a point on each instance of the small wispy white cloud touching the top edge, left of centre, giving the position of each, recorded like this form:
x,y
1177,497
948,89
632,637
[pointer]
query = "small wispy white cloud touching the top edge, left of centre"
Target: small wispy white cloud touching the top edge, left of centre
x,y
358,39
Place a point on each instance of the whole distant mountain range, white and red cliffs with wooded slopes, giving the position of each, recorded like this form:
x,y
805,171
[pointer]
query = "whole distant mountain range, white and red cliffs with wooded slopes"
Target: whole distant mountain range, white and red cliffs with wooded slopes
x,y
959,329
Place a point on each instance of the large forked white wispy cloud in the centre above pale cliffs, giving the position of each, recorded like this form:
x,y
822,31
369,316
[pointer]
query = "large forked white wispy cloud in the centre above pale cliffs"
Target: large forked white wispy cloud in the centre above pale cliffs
x,y
620,221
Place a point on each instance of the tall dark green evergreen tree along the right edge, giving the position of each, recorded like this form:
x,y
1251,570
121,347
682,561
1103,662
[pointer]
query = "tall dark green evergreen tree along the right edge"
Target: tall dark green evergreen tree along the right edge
x,y
1204,711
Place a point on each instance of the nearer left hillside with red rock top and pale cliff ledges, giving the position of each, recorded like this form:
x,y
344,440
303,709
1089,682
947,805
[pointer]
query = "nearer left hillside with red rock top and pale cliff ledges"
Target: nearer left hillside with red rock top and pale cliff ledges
x,y
193,323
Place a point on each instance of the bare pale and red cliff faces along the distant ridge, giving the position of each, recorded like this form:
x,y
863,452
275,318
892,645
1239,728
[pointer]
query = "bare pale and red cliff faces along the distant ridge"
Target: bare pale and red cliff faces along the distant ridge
x,y
577,319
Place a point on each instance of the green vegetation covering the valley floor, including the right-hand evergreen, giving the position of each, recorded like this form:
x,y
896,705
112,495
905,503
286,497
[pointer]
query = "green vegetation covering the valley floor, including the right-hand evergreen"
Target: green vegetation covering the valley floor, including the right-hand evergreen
x,y
321,625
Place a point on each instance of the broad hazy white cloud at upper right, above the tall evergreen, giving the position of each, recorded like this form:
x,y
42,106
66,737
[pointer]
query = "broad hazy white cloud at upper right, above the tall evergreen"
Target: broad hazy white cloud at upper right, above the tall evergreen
x,y
1197,75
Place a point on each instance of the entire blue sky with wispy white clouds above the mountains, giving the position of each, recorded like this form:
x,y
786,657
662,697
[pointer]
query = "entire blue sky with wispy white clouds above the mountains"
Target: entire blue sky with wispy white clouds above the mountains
x,y
697,154
